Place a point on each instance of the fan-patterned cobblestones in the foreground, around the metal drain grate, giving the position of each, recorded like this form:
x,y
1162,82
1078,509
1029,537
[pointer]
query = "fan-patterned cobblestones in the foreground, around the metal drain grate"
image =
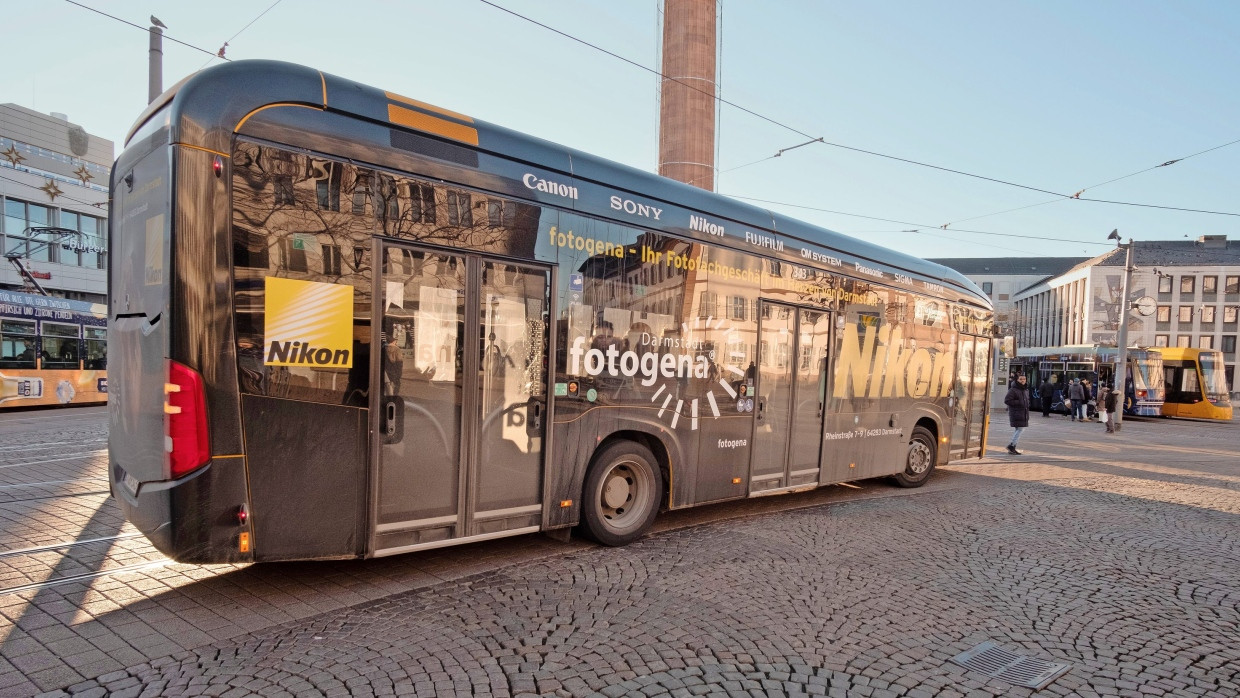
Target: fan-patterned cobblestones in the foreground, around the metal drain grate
x,y
866,598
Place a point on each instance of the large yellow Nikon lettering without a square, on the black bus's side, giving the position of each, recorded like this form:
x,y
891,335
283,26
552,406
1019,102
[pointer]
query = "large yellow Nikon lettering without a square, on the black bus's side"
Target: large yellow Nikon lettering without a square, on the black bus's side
x,y
881,366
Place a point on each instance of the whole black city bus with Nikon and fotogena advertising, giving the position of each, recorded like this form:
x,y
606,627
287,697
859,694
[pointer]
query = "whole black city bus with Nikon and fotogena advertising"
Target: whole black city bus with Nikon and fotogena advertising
x,y
349,324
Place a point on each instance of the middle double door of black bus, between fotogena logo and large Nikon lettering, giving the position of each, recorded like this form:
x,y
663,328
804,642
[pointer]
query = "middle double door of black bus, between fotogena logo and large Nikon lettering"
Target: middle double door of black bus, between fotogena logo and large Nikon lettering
x,y
790,397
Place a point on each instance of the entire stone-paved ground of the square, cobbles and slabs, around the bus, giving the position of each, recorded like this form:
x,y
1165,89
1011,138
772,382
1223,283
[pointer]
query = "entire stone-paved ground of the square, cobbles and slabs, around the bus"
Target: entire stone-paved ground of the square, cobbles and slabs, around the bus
x,y
1118,556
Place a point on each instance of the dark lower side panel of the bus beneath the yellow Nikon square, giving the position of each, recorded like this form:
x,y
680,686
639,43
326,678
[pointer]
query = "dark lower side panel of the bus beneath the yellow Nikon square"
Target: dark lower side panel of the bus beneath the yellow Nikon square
x,y
308,479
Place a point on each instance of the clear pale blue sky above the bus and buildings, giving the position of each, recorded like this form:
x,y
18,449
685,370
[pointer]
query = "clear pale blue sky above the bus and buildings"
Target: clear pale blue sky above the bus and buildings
x,y
1052,95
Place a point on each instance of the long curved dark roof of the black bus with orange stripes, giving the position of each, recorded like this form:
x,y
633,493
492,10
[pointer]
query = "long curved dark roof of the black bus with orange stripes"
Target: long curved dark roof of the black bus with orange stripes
x,y
210,107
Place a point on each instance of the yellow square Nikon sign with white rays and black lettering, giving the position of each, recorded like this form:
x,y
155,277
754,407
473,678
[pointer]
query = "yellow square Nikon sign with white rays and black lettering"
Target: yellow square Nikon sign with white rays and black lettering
x,y
308,324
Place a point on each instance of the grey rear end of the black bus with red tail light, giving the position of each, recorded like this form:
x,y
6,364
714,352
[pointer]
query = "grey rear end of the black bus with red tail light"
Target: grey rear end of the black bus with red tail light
x,y
159,452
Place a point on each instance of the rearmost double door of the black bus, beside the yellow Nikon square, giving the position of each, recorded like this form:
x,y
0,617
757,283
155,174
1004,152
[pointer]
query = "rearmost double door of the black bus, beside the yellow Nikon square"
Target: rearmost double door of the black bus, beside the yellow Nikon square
x,y
462,416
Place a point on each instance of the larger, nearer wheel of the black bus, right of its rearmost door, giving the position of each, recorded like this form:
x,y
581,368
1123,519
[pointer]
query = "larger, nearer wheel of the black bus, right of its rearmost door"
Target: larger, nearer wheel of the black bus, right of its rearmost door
x,y
622,494
